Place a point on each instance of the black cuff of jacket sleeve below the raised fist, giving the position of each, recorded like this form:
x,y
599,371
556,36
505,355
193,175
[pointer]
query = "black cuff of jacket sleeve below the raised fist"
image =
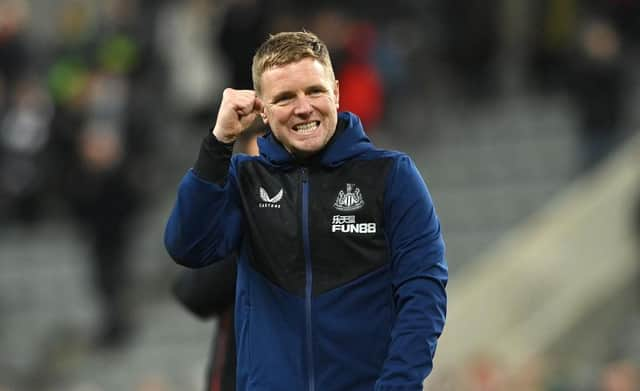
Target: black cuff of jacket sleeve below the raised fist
x,y
213,160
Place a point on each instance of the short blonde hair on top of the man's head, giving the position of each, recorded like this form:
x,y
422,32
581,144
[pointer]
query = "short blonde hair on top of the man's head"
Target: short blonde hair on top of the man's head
x,y
288,47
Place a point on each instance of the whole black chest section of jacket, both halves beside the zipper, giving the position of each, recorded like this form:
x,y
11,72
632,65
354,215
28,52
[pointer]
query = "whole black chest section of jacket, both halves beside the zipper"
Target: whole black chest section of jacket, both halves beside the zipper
x,y
346,227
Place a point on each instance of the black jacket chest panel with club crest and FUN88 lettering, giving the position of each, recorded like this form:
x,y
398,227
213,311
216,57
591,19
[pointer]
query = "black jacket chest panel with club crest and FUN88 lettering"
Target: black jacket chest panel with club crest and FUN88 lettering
x,y
347,222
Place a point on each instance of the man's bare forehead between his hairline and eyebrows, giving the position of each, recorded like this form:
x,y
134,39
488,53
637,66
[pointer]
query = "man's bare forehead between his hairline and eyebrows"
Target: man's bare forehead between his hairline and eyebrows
x,y
295,75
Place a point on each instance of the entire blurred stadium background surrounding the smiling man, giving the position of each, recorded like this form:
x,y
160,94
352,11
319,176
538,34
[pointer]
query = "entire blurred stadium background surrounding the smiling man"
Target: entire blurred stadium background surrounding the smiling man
x,y
522,116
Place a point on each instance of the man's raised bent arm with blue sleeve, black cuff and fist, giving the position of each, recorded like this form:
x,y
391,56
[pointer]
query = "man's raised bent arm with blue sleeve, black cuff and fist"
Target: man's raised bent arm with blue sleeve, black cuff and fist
x,y
205,224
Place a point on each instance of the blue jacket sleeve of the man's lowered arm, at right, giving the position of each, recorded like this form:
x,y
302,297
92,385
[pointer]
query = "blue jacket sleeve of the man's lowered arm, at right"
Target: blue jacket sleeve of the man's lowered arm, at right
x,y
419,278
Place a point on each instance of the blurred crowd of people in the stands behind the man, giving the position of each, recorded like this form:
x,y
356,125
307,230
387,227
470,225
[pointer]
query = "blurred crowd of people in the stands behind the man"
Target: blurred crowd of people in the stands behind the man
x,y
87,87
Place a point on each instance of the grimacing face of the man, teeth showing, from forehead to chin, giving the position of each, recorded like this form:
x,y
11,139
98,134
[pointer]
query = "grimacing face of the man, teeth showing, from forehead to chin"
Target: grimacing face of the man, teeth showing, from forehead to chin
x,y
300,105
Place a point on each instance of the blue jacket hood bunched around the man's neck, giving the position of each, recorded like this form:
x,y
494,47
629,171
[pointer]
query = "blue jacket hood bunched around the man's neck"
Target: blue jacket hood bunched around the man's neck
x,y
348,141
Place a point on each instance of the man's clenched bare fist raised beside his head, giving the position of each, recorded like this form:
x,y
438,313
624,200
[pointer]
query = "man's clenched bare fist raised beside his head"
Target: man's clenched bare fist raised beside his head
x,y
238,110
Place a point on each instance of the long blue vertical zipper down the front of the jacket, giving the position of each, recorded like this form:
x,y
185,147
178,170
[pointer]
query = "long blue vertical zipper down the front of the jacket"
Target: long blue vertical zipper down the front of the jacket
x,y
309,276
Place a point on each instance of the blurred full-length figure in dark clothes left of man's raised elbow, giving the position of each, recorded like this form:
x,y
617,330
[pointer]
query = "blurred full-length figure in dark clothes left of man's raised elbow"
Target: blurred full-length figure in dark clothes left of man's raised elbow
x,y
103,200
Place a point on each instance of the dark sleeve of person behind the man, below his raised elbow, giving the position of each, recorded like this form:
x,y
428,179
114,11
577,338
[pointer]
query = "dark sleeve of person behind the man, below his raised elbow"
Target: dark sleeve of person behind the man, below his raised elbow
x,y
209,291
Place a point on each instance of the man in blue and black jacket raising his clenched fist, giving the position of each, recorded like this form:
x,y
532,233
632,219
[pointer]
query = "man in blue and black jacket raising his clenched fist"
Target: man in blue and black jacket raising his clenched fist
x,y
341,269
